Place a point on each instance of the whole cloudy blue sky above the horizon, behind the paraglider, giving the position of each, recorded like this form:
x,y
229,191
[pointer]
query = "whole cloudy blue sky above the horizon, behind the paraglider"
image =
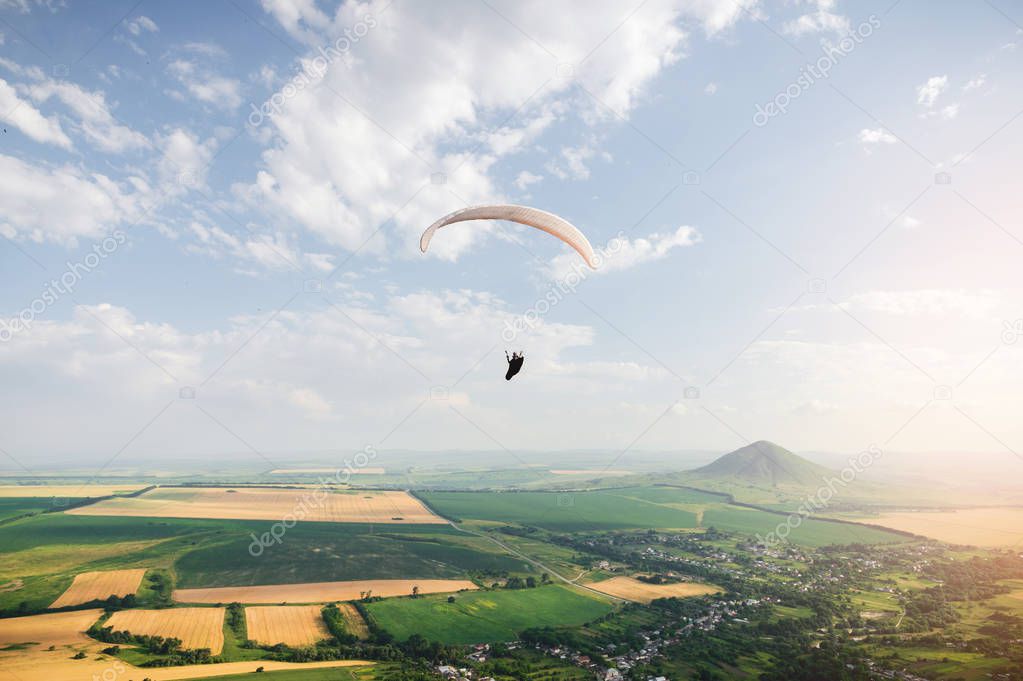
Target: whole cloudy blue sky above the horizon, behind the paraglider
x,y
810,281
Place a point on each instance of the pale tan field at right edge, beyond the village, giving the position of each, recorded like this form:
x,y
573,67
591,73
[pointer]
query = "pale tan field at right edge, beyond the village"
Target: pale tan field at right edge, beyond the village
x,y
976,527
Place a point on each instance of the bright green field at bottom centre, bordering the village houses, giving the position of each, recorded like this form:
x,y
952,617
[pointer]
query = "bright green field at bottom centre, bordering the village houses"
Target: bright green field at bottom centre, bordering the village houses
x,y
486,616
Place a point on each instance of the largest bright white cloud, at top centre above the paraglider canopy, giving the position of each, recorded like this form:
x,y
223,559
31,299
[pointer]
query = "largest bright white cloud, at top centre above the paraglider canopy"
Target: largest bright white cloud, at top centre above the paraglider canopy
x,y
413,96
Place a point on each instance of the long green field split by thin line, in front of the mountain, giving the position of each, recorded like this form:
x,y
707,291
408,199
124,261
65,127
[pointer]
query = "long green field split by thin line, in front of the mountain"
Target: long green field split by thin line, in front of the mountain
x,y
662,508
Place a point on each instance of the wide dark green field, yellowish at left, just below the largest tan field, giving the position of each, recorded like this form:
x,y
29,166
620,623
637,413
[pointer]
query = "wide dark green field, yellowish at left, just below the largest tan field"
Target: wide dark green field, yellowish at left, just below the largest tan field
x,y
47,552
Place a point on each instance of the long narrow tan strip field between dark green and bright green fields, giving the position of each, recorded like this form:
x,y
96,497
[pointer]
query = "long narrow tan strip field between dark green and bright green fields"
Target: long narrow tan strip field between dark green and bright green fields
x,y
318,593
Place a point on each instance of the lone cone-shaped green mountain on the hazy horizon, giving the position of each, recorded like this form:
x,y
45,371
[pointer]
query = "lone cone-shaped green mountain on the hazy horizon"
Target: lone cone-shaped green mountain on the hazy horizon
x,y
764,465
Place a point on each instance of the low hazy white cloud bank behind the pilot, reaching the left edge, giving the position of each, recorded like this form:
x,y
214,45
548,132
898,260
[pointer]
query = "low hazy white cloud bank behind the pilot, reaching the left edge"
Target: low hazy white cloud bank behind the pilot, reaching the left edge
x,y
288,373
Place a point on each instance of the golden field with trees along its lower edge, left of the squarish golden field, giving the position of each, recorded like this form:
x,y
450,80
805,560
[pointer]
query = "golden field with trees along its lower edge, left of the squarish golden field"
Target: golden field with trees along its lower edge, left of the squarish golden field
x,y
197,627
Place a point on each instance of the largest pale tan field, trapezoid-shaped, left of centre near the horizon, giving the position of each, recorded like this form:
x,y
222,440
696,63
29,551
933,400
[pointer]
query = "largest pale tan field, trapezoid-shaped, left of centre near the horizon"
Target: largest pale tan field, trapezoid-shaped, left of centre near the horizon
x,y
270,505
